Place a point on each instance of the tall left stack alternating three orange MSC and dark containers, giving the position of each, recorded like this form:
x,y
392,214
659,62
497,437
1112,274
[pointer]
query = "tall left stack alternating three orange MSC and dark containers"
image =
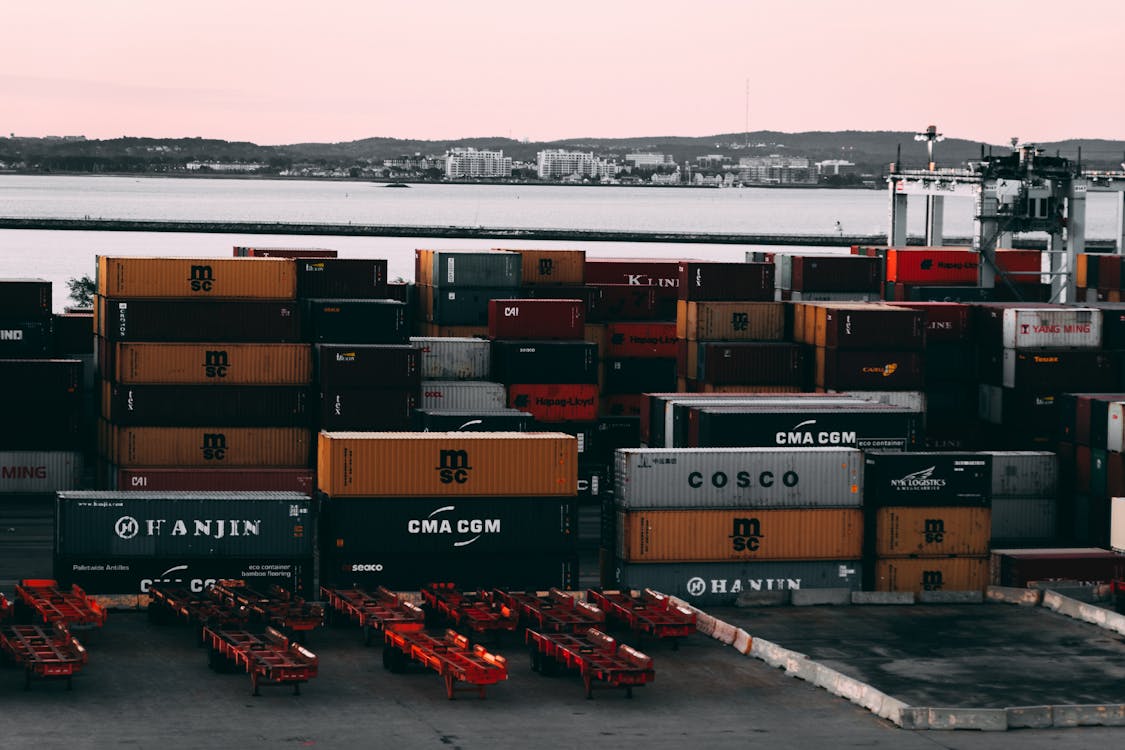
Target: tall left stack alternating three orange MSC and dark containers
x,y
204,376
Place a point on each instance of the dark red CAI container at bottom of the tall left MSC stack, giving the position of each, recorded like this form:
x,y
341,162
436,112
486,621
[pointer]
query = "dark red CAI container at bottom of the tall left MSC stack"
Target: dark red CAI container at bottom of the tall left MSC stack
x,y
246,480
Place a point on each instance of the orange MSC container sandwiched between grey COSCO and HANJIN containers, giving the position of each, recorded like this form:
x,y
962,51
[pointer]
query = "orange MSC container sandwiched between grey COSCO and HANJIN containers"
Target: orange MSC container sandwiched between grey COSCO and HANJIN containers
x,y
740,535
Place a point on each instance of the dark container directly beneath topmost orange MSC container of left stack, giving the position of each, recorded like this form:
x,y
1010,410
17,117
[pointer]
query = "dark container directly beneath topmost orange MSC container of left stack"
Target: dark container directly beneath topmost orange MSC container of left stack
x,y
200,320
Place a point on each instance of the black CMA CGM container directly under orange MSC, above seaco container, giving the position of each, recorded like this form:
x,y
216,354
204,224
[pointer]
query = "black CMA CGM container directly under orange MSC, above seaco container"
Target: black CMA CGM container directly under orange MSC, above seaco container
x,y
471,528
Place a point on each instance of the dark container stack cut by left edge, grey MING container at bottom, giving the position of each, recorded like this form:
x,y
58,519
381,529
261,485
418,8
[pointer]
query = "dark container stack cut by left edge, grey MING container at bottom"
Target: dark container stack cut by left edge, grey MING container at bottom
x,y
43,441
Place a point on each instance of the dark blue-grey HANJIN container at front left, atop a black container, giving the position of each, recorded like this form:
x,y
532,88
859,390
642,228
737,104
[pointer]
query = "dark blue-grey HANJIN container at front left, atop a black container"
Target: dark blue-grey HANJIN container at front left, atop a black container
x,y
139,525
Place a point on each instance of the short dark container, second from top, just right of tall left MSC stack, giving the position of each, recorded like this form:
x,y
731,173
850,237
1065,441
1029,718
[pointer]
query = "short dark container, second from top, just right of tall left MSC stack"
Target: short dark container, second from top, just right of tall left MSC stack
x,y
357,322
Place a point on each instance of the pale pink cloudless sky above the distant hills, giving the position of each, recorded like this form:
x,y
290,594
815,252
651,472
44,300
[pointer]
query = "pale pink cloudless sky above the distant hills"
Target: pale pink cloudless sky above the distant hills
x,y
327,71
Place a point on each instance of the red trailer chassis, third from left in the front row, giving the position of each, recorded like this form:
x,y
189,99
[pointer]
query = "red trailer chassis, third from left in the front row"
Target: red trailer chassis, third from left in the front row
x,y
451,657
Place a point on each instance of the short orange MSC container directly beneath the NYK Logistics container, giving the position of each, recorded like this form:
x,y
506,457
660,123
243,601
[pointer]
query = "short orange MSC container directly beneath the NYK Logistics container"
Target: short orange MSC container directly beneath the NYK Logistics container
x,y
932,531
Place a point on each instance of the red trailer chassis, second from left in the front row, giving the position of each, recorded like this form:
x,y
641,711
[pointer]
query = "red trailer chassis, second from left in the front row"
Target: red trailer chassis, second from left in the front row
x,y
271,659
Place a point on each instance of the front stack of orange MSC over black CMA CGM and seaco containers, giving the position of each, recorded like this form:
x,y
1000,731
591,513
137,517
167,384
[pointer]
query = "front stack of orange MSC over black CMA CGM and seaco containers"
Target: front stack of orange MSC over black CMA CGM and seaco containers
x,y
481,510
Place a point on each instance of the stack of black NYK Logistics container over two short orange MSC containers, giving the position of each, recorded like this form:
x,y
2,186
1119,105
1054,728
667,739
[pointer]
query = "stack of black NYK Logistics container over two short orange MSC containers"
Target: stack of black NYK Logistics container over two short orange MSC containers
x,y
929,521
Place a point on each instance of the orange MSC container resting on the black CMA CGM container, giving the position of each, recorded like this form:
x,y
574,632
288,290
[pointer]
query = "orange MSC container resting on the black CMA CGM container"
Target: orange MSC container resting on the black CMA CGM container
x,y
430,465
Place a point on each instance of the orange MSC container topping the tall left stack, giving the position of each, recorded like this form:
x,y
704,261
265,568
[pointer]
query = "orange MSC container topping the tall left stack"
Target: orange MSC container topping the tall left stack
x,y
260,278
